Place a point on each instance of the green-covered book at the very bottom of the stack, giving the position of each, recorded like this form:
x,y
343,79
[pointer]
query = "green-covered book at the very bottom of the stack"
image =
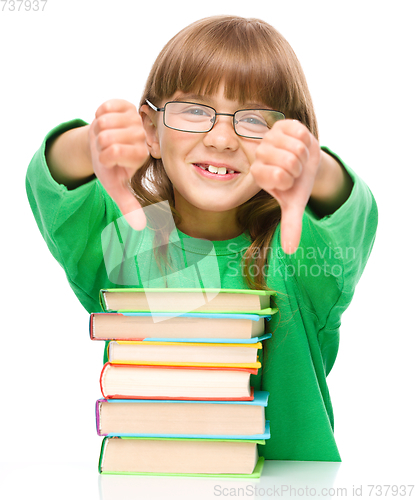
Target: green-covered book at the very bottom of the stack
x,y
231,458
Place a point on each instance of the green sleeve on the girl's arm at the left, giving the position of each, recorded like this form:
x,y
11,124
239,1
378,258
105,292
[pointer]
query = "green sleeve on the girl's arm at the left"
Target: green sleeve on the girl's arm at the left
x,y
71,223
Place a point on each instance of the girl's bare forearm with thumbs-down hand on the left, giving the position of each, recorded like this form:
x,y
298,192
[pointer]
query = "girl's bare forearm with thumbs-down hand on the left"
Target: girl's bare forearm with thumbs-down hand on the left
x,y
112,148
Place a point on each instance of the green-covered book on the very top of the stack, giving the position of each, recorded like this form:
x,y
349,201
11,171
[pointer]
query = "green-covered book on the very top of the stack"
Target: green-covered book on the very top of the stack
x,y
204,300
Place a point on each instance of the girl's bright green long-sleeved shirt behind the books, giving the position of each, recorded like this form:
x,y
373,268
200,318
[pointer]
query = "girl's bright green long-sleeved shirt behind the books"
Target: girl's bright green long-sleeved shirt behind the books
x,y
314,286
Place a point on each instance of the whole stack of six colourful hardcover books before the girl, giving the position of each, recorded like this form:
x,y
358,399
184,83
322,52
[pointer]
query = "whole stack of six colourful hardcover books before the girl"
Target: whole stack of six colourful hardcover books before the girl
x,y
176,387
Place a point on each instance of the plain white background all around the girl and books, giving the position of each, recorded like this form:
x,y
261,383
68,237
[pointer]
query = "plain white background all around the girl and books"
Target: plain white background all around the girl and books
x,y
62,63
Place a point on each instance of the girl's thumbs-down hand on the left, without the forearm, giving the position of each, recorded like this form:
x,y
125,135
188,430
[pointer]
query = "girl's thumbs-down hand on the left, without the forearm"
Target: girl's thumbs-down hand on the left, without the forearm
x,y
118,149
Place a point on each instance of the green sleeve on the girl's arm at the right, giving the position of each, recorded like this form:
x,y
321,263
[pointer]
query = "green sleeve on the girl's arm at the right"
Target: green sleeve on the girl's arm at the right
x,y
333,252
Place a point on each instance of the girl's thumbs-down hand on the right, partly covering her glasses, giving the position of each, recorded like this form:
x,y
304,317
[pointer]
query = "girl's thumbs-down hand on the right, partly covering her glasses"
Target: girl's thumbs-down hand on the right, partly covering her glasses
x,y
287,162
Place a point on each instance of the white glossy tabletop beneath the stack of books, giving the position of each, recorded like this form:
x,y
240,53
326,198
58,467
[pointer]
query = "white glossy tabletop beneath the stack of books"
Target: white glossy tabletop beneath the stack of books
x,y
280,479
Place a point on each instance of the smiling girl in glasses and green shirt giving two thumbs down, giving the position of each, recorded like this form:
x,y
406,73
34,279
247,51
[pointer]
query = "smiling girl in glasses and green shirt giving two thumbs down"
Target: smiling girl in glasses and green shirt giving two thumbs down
x,y
226,135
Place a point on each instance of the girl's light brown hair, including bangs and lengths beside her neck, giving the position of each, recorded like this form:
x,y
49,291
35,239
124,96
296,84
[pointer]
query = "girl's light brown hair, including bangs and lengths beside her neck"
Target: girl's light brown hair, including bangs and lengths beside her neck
x,y
256,64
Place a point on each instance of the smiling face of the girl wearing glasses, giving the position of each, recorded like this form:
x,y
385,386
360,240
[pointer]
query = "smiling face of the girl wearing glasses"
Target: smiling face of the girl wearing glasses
x,y
183,153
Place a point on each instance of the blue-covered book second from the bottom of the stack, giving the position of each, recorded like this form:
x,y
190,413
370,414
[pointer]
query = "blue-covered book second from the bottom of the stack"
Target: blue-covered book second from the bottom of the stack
x,y
197,419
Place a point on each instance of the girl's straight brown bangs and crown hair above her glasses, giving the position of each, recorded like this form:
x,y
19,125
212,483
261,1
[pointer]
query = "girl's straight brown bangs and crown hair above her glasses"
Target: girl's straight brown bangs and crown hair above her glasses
x,y
248,56
